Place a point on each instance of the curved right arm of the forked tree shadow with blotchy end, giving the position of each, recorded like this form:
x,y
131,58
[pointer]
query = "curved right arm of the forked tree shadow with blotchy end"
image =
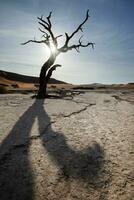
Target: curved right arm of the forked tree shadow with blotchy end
x,y
85,165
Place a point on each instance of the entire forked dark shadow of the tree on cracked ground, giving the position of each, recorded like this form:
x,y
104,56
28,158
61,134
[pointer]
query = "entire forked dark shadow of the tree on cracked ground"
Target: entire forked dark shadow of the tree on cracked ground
x,y
16,177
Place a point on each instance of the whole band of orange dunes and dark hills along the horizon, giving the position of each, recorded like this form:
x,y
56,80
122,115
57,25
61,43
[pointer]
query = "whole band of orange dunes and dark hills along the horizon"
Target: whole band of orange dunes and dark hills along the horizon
x,y
14,80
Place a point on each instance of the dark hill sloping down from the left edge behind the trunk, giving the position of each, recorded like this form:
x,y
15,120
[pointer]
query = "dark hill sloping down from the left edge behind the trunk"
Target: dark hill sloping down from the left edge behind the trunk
x,y
10,76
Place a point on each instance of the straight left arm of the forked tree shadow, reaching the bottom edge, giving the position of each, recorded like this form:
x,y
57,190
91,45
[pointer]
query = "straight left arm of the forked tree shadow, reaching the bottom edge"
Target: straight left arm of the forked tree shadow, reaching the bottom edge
x,y
16,179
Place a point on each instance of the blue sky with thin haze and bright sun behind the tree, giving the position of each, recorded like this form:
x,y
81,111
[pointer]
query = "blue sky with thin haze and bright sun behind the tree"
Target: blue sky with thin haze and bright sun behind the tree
x,y
110,26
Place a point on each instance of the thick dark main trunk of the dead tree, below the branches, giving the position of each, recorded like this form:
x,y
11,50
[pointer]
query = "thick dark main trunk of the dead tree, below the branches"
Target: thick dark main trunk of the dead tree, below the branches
x,y
43,79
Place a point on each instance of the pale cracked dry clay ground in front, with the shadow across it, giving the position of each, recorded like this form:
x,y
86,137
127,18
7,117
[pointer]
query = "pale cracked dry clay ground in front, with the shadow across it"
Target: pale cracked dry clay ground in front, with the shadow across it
x,y
79,149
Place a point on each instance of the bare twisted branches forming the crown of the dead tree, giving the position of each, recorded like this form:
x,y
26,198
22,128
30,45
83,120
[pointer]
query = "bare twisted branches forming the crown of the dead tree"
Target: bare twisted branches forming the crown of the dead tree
x,y
49,36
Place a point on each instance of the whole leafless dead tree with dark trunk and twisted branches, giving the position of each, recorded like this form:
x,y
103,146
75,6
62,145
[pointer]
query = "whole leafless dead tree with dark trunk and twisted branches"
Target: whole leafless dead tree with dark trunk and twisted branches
x,y
51,41
